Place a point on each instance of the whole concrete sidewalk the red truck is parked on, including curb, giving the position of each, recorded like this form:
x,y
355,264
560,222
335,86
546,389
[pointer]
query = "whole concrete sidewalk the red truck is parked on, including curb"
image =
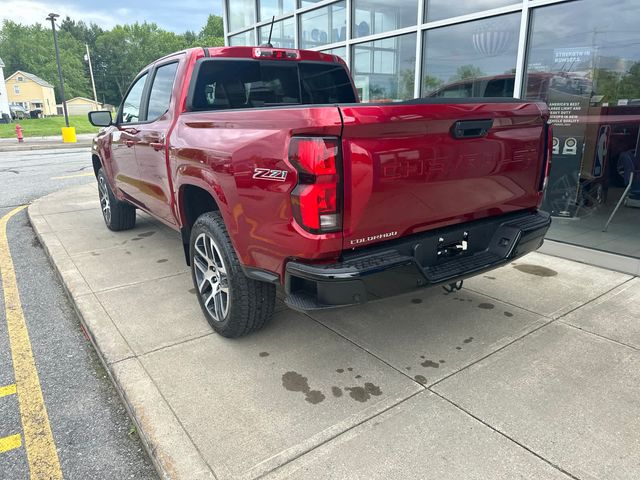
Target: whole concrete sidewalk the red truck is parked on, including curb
x,y
531,371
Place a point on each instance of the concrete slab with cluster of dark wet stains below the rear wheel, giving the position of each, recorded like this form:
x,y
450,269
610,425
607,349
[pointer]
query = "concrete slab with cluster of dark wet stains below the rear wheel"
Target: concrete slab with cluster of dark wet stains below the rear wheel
x,y
253,403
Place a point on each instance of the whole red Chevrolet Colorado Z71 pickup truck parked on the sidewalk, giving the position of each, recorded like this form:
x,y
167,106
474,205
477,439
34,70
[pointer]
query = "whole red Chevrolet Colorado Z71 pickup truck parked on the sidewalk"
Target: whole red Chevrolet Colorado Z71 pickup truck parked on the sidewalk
x,y
275,175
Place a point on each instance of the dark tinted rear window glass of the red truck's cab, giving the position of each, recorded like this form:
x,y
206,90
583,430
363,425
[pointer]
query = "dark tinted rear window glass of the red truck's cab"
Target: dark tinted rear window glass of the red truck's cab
x,y
226,84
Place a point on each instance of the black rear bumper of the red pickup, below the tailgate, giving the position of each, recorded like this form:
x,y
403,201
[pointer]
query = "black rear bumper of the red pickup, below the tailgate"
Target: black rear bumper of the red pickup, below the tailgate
x,y
414,262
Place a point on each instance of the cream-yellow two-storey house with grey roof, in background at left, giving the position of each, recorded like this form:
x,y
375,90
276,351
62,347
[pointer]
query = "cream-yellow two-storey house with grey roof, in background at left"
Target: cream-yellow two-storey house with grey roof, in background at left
x,y
31,92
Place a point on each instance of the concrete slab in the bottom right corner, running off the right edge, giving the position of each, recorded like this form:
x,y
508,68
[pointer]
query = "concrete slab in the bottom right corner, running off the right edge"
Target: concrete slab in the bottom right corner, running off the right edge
x,y
567,395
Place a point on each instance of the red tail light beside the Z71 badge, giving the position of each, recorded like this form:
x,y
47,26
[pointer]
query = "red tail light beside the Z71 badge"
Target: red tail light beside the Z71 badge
x,y
316,200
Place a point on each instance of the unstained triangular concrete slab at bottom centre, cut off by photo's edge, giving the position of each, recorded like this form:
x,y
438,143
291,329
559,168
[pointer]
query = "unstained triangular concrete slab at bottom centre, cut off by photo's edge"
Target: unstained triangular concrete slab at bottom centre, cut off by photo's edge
x,y
423,438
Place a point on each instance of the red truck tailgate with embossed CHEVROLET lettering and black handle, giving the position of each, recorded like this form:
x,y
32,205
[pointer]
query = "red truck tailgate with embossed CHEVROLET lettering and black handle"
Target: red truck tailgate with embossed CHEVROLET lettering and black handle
x,y
419,165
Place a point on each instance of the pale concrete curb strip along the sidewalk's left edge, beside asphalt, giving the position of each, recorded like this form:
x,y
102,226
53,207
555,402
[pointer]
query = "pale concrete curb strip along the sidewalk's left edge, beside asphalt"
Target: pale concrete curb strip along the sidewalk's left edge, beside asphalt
x,y
170,449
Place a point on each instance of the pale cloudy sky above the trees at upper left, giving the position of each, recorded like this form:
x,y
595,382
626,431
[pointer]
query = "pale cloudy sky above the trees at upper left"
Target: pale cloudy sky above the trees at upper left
x,y
174,15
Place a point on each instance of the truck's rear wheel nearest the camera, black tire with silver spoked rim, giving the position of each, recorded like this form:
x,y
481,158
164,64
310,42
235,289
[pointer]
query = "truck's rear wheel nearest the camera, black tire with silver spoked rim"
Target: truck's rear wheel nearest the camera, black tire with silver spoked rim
x,y
249,303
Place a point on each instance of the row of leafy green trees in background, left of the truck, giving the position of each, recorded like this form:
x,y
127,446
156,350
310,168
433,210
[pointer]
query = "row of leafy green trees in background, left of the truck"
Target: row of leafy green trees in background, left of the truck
x,y
117,54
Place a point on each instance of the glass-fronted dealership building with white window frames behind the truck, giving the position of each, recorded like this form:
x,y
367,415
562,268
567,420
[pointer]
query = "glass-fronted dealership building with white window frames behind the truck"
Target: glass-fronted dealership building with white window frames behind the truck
x,y
582,57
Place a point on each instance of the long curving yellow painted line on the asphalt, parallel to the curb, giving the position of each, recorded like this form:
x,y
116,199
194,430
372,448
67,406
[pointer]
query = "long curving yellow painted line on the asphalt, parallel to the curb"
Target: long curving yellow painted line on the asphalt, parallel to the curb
x,y
38,439
